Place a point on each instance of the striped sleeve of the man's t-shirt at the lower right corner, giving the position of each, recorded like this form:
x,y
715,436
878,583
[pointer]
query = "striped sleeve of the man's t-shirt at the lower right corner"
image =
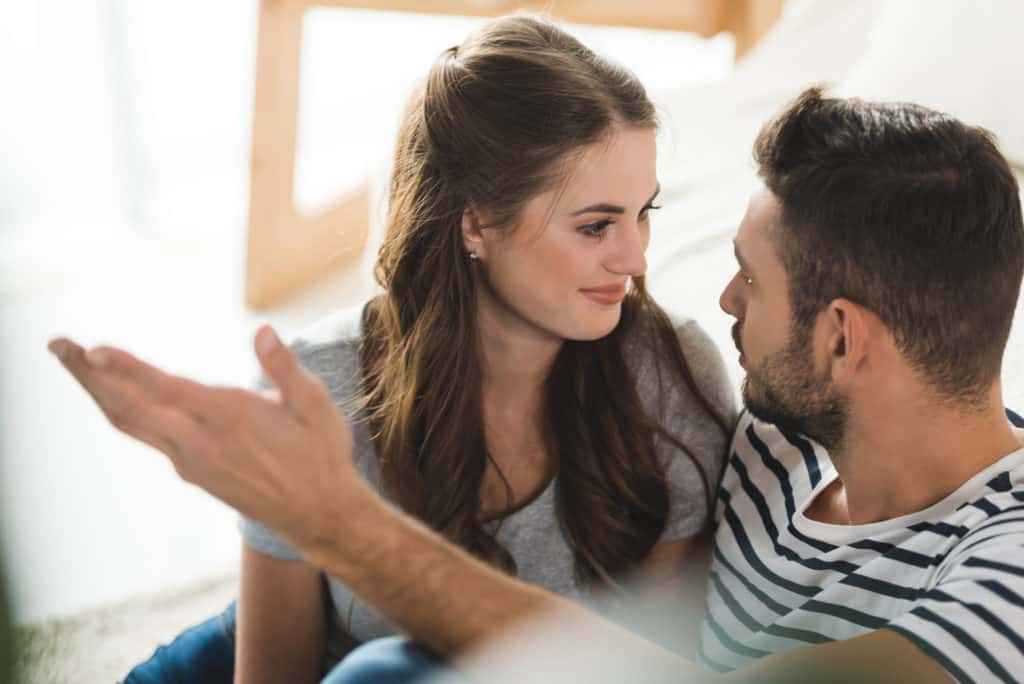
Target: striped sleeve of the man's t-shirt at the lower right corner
x,y
972,622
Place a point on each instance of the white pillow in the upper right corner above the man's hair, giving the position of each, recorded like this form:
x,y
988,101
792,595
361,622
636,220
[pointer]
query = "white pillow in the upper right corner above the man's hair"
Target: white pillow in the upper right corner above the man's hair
x,y
965,59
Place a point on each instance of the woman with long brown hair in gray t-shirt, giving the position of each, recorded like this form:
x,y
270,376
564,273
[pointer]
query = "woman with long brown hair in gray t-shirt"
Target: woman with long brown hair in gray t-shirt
x,y
515,388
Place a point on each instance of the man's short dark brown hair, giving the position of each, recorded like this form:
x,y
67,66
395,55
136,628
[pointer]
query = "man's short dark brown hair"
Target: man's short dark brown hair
x,y
911,215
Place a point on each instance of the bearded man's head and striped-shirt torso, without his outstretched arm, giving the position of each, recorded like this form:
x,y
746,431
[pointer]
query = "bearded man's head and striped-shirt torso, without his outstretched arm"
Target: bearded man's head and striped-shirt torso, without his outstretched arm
x,y
879,273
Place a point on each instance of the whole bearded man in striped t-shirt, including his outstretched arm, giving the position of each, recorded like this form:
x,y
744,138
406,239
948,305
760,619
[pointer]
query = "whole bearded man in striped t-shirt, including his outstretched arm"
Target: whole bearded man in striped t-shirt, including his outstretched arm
x,y
880,268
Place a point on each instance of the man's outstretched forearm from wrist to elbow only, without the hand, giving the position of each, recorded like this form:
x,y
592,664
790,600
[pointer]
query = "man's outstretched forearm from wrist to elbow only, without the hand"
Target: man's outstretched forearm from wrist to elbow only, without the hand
x,y
454,604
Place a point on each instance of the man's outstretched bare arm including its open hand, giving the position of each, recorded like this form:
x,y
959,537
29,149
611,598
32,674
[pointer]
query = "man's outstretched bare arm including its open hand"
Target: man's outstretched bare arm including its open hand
x,y
285,460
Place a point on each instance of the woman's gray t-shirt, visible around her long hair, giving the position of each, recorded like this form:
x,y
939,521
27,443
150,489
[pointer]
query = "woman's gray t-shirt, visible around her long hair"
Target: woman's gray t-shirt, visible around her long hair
x,y
532,535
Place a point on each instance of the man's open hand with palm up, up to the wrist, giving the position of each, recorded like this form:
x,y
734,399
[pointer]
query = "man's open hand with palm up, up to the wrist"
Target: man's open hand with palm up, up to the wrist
x,y
282,458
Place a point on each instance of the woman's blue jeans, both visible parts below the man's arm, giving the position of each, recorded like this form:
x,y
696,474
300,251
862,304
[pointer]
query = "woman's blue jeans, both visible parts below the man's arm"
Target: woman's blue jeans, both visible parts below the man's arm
x,y
206,654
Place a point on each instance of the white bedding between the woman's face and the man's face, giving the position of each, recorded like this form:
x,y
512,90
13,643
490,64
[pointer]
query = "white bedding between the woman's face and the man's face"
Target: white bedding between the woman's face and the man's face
x,y
707,172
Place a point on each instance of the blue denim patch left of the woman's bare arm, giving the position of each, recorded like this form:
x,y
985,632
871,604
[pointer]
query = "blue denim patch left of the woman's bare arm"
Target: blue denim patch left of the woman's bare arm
x,y
202,654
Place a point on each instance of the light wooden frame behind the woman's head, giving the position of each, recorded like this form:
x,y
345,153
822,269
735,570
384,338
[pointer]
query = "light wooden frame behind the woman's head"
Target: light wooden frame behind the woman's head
x,y
286,250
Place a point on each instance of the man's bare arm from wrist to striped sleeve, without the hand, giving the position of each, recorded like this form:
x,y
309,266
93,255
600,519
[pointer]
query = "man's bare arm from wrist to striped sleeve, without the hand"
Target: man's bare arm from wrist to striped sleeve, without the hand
x,y
455,605
